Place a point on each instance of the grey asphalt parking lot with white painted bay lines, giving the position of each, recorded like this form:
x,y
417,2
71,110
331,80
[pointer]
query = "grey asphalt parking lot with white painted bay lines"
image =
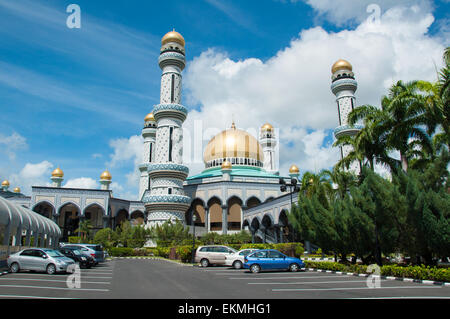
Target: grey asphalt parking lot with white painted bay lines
x,y
144,278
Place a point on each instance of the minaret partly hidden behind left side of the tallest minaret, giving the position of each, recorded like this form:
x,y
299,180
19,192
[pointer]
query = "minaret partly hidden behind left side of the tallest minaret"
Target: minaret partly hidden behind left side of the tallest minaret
x,y
148,154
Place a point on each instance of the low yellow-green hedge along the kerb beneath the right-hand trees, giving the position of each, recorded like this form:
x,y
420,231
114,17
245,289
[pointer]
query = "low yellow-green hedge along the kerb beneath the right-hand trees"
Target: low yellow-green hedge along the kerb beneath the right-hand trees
x,y
415,272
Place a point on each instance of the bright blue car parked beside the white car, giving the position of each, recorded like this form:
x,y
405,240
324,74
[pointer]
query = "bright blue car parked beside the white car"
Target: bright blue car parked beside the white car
x,y
270,259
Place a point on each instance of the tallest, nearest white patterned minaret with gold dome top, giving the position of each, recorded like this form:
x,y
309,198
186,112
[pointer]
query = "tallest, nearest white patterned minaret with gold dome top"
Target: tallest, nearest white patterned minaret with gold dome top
x,y
166,199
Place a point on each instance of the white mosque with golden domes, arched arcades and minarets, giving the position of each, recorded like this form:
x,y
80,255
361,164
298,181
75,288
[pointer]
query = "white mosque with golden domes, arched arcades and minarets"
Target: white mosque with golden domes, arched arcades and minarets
x,y
238,189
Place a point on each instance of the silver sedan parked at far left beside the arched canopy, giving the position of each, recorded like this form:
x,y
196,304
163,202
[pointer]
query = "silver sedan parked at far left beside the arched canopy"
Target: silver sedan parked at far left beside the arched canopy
x,y
39,259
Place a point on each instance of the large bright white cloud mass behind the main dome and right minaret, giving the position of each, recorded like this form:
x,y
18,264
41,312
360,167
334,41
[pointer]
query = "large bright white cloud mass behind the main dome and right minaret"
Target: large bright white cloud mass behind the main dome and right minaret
x,y
292,89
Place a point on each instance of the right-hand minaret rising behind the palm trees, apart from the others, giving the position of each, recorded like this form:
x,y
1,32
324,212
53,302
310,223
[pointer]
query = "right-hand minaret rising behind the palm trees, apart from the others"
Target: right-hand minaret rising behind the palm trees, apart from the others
x,y
344,87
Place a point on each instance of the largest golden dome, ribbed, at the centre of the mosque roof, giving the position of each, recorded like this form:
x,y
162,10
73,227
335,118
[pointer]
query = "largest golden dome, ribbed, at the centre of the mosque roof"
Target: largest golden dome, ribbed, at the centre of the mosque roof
x,y
234,143
